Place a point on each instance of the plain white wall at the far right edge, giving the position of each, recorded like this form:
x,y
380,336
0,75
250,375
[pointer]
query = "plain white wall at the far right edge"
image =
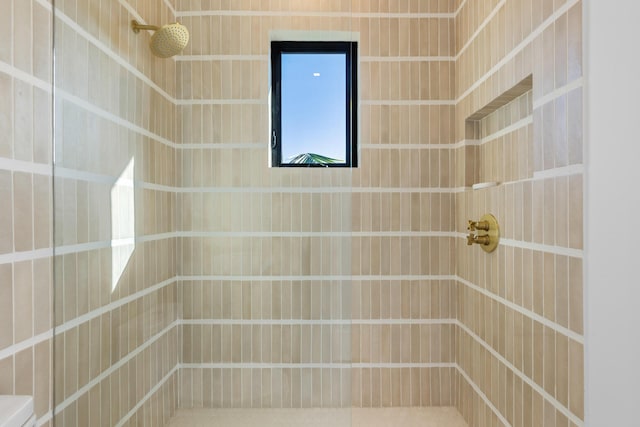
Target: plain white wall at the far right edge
x,y
612,257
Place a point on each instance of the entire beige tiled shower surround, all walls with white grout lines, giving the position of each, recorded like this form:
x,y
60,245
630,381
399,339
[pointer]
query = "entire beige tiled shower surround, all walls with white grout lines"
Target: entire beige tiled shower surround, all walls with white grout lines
x,y
187,274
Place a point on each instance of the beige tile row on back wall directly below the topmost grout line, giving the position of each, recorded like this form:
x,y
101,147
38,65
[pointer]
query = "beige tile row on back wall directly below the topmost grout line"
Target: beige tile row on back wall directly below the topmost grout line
x,y
398,35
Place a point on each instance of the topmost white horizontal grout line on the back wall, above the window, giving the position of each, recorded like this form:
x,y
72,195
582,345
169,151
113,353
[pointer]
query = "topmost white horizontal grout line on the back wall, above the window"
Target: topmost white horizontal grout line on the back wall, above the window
x,y
314,14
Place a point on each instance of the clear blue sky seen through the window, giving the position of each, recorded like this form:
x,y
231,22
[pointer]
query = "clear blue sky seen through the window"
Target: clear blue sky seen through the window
x,y
313,105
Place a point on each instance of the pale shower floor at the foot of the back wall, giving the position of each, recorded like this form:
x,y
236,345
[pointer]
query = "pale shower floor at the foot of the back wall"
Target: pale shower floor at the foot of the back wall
x,y
356,417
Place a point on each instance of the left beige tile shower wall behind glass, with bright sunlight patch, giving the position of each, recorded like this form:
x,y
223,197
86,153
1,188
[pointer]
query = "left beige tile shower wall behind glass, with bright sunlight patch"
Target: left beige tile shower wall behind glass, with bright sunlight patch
x,y
115,346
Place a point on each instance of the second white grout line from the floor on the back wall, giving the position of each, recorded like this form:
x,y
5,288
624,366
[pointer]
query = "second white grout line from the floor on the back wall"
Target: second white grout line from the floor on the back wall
x,y
304,322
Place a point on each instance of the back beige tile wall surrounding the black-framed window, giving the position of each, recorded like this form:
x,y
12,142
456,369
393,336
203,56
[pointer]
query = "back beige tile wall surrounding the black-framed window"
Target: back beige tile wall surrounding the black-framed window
x,y
276,264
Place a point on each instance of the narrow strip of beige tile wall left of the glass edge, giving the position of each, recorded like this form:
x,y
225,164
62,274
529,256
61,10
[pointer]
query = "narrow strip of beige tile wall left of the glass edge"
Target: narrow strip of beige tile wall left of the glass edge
x,y
25,212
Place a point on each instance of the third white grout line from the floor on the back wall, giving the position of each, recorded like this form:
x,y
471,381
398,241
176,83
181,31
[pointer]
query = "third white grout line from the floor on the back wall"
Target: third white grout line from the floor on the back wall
x,y
306,278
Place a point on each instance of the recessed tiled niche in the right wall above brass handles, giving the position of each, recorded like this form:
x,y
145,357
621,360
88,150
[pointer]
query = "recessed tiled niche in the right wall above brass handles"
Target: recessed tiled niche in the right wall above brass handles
x,y
499,138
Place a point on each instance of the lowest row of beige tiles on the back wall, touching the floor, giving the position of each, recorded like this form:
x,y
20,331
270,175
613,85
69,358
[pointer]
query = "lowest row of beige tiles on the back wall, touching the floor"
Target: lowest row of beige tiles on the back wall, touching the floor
x,y
317,387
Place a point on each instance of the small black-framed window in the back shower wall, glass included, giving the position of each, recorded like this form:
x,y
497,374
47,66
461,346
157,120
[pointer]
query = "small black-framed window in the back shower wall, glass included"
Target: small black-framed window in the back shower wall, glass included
x,y
314,104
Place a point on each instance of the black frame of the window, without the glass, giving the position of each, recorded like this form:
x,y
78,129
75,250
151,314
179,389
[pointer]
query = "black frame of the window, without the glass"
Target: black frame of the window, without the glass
x,y
351,96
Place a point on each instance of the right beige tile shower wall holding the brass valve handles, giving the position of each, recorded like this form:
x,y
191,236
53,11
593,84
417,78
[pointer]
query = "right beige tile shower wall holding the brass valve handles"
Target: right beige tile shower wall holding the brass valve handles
x,y
520,336
